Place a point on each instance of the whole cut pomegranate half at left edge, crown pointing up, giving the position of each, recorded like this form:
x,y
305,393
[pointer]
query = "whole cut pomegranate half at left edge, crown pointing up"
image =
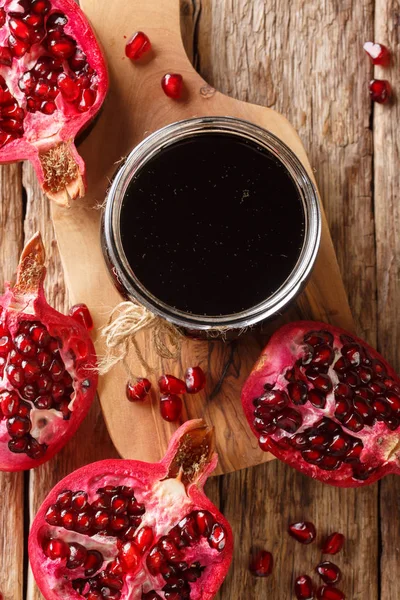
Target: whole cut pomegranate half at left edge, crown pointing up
x,y
47,369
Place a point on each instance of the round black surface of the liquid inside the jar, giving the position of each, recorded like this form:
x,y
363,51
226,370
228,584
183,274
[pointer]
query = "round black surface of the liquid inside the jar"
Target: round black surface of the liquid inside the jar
x,y
212,225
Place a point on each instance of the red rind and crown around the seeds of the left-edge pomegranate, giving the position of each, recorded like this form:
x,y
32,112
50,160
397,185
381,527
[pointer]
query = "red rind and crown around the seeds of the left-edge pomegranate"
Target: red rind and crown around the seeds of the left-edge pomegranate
x,y
24,303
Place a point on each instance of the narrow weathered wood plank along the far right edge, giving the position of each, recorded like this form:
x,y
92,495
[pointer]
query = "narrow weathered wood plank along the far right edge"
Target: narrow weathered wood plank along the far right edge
x,y
387,219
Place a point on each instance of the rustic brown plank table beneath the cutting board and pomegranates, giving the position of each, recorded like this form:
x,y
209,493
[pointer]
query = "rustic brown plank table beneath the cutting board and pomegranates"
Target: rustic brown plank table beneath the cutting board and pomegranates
x,y
305,59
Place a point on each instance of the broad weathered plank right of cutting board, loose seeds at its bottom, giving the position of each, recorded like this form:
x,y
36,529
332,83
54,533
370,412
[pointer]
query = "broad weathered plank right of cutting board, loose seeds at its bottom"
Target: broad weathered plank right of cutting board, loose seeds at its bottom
x,y
305,60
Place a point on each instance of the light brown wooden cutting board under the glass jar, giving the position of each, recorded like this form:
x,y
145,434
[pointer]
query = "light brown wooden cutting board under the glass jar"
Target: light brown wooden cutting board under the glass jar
x,y
135,107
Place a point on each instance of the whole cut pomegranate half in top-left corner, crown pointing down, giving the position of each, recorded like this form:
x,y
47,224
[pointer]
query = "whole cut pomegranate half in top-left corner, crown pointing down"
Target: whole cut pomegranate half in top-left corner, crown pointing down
x,y
53,82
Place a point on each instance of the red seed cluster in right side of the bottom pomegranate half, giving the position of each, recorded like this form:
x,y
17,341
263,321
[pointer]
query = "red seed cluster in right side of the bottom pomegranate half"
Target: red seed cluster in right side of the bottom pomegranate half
x,y
166,557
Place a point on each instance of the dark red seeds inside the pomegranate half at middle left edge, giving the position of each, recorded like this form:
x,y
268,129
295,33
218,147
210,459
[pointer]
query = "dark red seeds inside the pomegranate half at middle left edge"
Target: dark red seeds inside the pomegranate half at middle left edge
x,y
31,363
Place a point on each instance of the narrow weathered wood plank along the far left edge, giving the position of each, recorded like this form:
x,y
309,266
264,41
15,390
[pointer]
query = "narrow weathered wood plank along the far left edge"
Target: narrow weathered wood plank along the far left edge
x,y
11,484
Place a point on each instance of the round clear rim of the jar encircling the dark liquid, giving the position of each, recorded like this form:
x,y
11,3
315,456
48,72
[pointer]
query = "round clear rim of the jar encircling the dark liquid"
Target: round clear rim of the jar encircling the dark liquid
x,y
161,139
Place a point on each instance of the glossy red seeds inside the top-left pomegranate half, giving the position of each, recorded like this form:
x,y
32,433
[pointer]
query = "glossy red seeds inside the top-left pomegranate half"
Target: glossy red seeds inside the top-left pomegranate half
x,y
61,66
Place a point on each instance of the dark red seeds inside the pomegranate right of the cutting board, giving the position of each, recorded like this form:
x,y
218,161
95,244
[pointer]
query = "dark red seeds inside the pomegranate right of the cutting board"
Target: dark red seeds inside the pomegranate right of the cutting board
x,y
365,394
